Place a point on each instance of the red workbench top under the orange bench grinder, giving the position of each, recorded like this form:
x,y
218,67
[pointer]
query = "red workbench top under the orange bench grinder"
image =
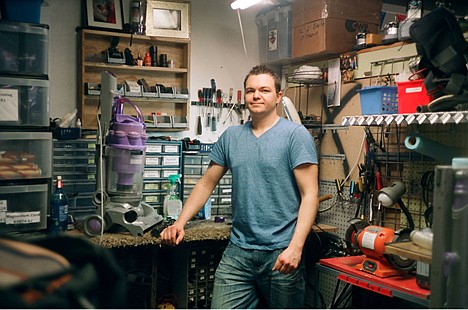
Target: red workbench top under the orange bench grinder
x,y
401,286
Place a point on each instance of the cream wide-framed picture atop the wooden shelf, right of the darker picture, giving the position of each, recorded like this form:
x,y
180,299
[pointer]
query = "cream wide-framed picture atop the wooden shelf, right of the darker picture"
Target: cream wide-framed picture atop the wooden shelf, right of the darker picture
x,y
168,19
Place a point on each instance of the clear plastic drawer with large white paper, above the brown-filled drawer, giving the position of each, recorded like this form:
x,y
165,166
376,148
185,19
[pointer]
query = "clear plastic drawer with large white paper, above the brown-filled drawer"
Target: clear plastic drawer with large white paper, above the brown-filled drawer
x,y
24,102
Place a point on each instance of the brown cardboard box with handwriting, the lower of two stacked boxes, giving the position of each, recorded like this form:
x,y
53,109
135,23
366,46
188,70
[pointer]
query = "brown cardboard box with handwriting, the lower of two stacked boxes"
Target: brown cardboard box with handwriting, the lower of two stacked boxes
x,y
327,36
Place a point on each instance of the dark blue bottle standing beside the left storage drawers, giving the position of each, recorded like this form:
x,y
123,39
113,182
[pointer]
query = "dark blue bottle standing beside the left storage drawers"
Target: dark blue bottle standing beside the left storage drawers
x,y
58,209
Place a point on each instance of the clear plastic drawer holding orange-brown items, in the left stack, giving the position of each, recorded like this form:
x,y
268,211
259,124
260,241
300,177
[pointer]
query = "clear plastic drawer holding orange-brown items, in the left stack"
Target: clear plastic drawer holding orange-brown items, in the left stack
x,y
25,155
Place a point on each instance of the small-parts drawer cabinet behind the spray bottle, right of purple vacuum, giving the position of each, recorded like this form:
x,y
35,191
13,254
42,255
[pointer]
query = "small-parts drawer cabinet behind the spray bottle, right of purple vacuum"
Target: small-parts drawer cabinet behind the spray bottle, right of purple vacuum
x,y
163,158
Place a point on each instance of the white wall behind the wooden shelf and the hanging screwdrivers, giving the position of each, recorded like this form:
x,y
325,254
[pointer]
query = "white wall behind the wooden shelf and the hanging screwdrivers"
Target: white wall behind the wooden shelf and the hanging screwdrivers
x,y
217,52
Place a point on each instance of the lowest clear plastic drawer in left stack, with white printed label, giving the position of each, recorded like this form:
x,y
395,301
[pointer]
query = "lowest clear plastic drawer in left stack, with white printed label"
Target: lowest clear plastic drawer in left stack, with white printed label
x,y
23,207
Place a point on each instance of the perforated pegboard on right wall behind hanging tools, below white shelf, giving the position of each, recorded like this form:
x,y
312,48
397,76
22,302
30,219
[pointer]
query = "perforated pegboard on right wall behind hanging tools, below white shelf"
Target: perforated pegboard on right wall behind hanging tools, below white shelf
x,y
396,163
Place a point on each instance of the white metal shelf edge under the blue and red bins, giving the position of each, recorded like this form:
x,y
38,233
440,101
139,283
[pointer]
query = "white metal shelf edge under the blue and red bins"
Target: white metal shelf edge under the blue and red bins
x,y
453,117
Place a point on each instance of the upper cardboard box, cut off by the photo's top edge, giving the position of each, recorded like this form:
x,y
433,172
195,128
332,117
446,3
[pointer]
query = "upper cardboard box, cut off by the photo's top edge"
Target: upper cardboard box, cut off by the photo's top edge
x,y
306,11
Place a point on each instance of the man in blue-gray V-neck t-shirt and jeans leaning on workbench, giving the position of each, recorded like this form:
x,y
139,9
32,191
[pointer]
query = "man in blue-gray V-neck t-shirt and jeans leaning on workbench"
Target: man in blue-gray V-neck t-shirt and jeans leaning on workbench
x,y
274,169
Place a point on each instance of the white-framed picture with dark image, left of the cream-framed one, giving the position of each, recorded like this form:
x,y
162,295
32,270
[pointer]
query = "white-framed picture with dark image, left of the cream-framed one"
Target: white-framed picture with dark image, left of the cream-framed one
x,y
103,14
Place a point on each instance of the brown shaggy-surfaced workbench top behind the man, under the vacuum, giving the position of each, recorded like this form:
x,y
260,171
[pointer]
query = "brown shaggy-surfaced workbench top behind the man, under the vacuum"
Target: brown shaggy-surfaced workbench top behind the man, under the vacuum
x,y
194,231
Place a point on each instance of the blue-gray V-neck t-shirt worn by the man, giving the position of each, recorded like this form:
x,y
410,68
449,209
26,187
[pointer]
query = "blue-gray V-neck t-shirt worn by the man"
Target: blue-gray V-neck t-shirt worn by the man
x,y
265,196
